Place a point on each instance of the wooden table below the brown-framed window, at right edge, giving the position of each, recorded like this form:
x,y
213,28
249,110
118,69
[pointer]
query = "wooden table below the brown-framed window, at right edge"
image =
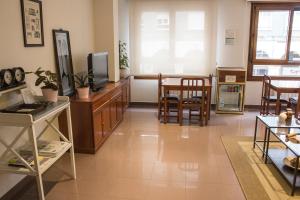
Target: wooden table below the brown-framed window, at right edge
x,y
285,86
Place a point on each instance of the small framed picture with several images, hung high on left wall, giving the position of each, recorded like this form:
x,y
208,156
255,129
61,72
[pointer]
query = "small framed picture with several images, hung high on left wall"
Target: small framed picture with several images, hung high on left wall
x,y
32,21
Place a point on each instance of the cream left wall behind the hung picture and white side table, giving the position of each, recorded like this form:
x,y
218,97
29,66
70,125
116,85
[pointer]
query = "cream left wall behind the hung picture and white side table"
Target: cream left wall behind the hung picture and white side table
x,y
75,16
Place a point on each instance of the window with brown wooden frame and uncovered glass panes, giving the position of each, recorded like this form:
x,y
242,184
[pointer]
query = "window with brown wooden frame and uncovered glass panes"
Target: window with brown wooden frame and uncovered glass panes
x,y
274,41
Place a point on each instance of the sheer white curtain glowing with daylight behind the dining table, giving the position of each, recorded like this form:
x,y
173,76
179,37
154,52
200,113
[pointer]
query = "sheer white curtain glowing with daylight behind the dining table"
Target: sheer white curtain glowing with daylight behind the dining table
x,y
172,36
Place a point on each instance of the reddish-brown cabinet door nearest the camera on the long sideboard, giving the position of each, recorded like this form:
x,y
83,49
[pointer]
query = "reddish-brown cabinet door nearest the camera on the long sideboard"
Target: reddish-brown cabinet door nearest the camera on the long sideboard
x,y
98,127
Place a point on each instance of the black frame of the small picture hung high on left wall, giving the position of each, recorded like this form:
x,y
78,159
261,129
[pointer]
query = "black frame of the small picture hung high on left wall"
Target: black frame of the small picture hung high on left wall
x,y
26,43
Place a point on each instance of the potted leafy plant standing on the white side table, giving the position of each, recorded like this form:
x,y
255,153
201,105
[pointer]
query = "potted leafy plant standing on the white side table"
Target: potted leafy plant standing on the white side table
x,y
49,80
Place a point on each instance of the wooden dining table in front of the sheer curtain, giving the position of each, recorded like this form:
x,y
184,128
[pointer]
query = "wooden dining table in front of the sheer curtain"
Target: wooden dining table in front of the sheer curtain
x,y
174,84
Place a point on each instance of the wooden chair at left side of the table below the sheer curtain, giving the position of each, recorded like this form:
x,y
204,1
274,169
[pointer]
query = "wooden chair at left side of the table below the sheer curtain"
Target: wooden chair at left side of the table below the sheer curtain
x,y
167,103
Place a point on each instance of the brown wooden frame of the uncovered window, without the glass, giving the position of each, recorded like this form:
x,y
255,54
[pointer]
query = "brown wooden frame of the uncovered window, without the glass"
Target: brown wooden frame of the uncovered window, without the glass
x,y
252,60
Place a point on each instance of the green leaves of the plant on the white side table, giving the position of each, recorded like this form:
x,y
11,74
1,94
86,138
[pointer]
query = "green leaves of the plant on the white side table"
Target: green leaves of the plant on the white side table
x,y
48,78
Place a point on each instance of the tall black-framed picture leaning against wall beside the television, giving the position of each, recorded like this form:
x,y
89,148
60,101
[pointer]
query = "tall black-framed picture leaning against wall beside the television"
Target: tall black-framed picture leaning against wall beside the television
x,y
63,58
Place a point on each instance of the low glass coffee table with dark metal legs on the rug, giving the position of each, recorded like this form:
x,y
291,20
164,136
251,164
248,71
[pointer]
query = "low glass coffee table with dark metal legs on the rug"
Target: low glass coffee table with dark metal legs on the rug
x,y
288,148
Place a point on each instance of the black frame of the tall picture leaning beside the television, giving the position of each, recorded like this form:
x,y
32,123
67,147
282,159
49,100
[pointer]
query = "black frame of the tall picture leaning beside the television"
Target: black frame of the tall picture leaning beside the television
x,y
69,90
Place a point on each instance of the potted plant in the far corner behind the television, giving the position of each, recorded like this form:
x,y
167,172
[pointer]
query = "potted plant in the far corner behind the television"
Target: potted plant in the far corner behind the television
x,y
123,60
